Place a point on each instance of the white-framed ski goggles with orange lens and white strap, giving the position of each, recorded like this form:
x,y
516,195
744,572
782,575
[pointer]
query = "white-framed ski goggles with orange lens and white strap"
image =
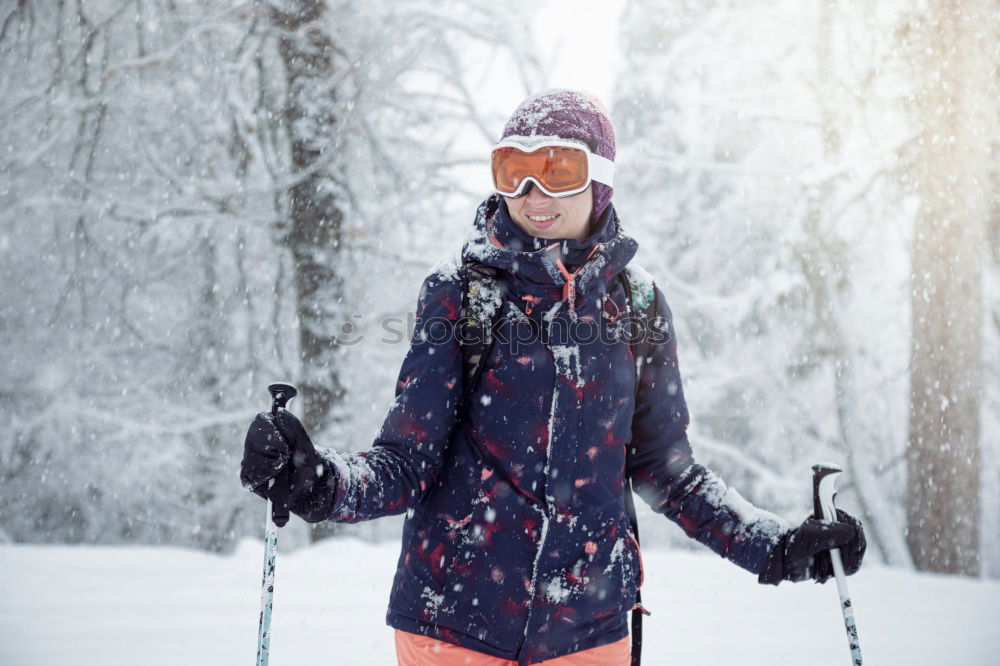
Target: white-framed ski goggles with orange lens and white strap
x,y
557,167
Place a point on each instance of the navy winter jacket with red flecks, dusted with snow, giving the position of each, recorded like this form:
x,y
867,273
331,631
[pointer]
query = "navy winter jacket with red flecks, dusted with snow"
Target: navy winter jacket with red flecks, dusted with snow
x,y
538,561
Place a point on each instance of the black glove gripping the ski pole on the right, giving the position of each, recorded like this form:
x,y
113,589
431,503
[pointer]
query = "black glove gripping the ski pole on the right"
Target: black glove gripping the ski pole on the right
x,y
804,552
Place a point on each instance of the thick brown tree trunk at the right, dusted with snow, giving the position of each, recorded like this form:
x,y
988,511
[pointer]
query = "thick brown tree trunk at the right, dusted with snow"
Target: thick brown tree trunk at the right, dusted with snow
x,y
943,456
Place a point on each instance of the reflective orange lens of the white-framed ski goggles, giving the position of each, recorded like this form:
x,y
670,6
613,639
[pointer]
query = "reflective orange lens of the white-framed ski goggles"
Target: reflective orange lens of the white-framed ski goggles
x,y
558,169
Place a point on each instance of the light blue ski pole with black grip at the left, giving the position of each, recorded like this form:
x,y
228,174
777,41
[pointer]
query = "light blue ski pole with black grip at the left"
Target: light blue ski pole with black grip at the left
x,y
277,516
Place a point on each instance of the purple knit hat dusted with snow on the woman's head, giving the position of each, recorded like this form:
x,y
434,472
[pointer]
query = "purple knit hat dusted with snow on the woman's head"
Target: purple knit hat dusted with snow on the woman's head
x,y
568,114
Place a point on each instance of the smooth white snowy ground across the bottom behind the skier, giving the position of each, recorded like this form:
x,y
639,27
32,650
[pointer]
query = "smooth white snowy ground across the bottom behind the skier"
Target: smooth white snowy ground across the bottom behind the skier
x,y
148,606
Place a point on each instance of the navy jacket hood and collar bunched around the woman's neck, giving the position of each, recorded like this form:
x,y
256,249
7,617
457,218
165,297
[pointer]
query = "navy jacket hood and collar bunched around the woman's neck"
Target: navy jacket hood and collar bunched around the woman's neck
x,y
579,268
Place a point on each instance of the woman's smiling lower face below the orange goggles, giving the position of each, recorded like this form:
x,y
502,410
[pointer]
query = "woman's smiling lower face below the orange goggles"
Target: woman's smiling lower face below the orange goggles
x,y
548,217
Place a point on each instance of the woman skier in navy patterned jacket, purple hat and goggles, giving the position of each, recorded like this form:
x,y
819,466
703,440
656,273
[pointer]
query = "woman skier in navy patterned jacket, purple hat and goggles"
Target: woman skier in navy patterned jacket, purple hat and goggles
x,y
517,545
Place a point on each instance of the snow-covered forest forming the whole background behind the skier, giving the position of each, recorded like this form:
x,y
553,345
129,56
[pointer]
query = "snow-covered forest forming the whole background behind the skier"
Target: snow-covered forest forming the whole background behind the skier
x,y
200,197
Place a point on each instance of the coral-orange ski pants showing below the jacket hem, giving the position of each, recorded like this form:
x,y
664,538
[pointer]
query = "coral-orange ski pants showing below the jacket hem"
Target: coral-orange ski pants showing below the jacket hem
x,y
417,650
